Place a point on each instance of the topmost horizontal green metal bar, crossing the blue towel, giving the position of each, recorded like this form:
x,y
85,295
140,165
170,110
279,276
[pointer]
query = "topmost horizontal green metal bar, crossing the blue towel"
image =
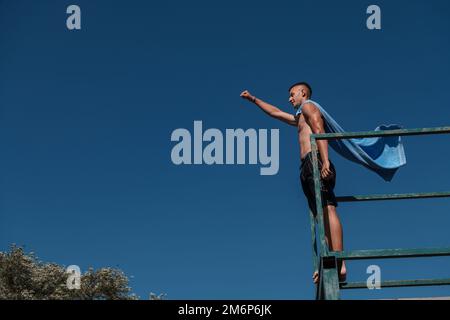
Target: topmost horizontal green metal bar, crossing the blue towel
x,y
381,133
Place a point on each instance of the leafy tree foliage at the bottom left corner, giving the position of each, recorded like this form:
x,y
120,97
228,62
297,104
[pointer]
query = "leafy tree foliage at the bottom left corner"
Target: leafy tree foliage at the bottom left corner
x,y
24,277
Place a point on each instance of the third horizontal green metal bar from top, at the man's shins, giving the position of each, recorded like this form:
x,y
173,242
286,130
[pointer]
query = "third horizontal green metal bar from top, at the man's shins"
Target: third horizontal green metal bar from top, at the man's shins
x,y
390,253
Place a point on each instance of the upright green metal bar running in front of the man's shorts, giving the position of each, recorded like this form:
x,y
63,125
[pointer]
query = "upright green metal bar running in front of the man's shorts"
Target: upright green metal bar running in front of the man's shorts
x,y
318,194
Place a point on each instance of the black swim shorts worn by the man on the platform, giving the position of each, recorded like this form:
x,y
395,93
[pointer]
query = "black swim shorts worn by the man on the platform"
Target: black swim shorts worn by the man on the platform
x,y
307,180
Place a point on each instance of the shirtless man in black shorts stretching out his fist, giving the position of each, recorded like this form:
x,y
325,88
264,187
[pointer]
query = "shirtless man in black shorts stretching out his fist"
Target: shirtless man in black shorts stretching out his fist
x,y
310,121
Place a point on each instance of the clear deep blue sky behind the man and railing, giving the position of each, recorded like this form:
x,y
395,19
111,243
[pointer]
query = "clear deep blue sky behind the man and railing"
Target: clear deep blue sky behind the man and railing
x,y
86,119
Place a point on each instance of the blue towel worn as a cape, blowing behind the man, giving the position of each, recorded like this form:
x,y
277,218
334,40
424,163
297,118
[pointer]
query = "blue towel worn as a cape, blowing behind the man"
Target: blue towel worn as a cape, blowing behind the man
x,y
383,155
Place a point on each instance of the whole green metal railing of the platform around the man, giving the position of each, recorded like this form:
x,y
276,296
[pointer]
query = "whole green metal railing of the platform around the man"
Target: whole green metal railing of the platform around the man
x,y
326,262
